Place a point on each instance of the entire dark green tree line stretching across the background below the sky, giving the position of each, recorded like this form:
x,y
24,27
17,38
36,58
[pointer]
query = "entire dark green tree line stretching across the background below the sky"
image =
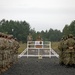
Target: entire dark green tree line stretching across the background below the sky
x,y
21,29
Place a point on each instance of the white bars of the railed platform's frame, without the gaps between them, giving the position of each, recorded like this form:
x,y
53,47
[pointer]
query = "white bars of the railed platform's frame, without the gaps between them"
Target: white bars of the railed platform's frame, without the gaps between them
x,y
34,48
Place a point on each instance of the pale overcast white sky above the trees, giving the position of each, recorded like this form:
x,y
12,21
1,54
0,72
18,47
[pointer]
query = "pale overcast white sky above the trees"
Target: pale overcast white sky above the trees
x,y
40,14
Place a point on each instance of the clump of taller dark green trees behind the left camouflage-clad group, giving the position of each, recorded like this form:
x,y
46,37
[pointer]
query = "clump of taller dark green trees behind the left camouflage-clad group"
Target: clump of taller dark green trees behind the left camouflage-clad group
x,y
19,29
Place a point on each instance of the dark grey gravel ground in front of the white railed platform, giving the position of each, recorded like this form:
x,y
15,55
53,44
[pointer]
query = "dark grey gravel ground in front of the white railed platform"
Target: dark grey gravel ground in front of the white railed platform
x,y
35,66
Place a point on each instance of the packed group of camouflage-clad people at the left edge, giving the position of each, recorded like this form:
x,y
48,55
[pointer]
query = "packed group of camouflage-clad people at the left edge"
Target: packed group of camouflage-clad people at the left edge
x,y
8,51
